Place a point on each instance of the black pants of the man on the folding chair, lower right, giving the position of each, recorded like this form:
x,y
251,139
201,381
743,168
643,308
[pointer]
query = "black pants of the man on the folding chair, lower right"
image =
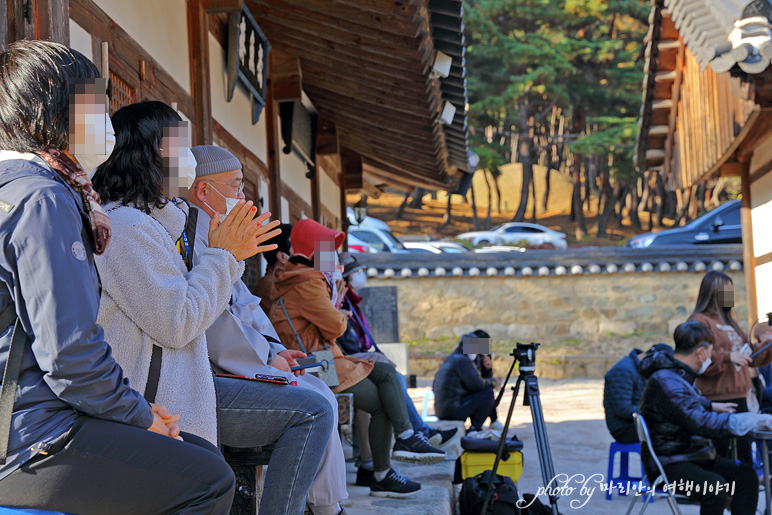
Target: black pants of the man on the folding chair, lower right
x,y
722,471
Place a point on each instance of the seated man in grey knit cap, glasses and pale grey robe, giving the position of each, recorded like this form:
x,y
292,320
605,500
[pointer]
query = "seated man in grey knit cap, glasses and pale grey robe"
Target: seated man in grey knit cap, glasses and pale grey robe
x,y
242,340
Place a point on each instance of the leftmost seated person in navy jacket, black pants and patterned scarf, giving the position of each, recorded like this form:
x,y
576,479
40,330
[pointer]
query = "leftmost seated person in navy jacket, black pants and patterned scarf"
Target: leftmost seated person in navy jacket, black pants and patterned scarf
x,y
81,439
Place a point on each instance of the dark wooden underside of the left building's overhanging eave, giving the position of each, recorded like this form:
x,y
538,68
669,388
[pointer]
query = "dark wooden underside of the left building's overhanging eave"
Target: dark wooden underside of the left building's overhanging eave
x,y
366,67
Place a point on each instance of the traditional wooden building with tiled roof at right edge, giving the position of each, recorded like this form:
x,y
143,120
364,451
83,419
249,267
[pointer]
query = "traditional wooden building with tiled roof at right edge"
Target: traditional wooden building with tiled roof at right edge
x,y
707,113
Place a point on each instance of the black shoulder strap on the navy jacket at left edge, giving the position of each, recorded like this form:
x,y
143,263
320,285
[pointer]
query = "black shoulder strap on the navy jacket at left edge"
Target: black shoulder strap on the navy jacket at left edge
x,y
10,375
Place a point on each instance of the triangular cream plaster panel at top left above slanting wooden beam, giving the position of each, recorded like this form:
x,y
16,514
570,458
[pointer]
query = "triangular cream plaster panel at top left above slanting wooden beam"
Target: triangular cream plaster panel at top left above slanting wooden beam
x,y
160,27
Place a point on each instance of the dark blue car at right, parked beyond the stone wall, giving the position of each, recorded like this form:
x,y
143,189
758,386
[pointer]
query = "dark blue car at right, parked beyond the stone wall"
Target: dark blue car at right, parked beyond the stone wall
x,y
722,225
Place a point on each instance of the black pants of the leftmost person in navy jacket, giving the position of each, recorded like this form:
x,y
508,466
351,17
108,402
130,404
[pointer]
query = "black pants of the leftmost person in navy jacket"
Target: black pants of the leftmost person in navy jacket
x,y
106,467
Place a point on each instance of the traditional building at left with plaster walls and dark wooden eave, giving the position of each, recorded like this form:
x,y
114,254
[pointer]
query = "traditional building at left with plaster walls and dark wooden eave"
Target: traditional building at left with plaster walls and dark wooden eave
x,y
316,97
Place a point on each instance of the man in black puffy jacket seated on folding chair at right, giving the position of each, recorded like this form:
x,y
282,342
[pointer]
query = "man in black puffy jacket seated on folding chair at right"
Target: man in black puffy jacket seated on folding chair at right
x,y
677,416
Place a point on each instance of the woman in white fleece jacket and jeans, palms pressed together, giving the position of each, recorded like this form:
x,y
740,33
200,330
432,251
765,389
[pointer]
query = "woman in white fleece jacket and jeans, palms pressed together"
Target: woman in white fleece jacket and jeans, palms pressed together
x,y
157,304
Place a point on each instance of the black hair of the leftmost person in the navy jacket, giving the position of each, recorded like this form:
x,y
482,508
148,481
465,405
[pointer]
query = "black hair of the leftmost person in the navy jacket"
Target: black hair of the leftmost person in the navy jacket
x,y
35,78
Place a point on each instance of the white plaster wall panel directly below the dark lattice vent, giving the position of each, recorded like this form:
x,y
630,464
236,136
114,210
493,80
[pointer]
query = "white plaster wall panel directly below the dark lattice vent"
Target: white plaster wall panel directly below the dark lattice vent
x,y
235,116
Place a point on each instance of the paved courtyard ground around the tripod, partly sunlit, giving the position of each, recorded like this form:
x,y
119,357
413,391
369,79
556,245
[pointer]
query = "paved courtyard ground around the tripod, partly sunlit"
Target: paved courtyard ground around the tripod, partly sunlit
x,y
579,441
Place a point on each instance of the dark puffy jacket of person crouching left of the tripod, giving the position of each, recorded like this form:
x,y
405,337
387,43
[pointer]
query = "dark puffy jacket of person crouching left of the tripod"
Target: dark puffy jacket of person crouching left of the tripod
x,y
457,377
